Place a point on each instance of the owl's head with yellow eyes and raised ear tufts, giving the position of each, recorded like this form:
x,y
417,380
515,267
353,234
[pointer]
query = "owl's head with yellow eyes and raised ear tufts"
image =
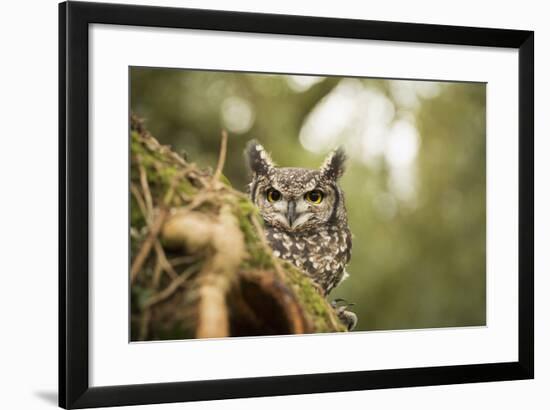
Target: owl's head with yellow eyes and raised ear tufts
x,y
296,199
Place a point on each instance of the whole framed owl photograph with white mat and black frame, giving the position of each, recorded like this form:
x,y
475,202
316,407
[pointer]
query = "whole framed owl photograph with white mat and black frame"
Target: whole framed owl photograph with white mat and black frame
x,y
256,204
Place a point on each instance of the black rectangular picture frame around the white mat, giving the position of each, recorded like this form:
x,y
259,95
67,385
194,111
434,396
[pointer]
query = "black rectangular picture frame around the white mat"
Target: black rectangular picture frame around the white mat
x,y
74,21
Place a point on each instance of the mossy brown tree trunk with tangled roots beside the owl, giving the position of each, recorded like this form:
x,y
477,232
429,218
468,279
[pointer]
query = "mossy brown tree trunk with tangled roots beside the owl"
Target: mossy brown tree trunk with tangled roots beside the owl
x,y
200,264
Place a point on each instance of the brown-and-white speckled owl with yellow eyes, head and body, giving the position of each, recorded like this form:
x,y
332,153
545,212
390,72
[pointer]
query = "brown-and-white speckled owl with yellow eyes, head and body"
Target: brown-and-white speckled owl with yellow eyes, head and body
x,y
304,214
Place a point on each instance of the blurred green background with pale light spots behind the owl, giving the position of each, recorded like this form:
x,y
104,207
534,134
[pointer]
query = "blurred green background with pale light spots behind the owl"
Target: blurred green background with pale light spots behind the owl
x,y
414,185
